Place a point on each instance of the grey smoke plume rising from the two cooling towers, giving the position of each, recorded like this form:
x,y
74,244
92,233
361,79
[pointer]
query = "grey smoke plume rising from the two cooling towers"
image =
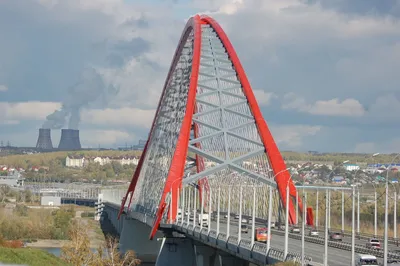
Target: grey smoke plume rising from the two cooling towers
x,y
90,88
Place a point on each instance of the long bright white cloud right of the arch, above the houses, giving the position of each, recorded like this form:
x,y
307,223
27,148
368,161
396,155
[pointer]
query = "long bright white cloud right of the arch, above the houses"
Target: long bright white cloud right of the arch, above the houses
x,y
333,107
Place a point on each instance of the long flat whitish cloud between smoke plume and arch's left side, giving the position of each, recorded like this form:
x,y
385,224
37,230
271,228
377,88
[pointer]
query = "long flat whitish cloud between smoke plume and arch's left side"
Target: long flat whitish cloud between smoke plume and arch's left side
x,y
128,117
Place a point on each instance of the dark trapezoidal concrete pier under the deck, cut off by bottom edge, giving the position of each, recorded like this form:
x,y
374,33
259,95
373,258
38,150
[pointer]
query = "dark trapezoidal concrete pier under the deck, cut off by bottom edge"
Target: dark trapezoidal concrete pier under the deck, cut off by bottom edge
x,y
176,251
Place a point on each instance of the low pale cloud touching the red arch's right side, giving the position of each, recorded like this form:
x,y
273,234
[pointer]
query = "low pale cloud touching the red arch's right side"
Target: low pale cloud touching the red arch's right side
x,y
292,136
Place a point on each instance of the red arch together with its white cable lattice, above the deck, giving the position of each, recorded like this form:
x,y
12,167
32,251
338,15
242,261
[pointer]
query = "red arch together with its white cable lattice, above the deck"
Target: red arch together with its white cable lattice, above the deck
x,y
208,129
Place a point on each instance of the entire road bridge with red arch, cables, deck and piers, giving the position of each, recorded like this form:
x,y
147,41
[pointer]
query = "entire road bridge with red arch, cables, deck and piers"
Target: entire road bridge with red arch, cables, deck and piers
x,y
211,176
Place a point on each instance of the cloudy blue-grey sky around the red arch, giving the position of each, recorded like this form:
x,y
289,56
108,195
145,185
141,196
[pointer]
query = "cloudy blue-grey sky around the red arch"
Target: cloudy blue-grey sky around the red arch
x,y
325,72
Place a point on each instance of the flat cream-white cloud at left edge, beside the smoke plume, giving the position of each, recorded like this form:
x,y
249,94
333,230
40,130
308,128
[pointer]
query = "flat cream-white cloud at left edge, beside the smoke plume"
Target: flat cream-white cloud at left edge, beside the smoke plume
x,y
26,110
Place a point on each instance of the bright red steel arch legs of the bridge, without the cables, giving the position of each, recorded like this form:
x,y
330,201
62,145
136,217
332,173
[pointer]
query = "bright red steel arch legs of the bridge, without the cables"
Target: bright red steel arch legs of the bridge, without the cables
x,y
174,178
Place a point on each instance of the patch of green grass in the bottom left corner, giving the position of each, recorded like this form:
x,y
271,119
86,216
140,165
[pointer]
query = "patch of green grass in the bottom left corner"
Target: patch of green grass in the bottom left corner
x,y
29,256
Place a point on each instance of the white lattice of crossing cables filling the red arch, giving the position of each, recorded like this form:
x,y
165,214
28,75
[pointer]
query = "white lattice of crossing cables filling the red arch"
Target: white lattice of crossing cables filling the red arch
x,y
227,142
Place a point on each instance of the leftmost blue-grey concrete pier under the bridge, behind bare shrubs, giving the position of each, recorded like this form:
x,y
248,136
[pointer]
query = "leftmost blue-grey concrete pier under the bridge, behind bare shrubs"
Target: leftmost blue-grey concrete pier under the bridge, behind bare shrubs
x,y
135,236
